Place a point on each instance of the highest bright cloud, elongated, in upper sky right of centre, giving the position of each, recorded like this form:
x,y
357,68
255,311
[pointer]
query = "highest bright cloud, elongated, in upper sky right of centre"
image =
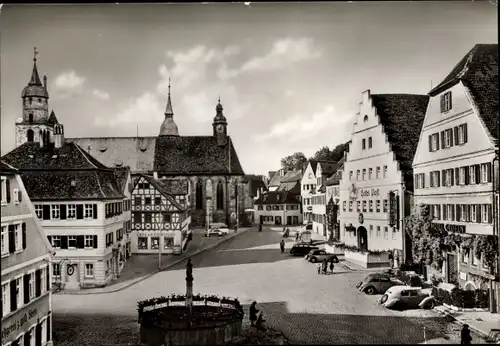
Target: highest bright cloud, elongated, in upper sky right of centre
x,y
284,53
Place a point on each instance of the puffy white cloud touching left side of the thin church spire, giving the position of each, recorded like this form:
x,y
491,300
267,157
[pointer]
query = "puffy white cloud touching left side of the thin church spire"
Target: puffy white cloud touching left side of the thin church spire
x,y
144,109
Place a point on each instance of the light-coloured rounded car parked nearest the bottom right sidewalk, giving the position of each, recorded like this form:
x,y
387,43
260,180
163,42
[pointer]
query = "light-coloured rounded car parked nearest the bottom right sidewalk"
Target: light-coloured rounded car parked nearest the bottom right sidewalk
x,y
407,297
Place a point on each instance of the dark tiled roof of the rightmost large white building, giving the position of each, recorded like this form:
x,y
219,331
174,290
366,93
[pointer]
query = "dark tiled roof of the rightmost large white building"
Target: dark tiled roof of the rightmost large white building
x,y
478,70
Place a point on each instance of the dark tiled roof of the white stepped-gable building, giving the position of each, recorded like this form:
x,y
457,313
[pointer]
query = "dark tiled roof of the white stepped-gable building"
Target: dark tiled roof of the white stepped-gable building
x,y
402,116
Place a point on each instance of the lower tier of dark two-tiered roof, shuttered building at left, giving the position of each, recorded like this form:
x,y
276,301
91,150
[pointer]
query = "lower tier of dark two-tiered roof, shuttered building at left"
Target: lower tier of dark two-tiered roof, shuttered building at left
x,y
56,185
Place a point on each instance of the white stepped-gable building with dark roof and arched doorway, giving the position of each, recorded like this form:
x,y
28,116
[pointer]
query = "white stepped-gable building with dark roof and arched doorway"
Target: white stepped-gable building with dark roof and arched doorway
x,y
378,169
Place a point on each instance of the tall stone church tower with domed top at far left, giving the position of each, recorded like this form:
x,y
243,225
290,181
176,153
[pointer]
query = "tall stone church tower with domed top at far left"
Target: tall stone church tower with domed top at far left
x,y
35,117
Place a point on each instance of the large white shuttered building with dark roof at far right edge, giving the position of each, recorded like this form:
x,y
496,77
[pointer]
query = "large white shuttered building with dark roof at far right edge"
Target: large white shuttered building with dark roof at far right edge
x,y
453,165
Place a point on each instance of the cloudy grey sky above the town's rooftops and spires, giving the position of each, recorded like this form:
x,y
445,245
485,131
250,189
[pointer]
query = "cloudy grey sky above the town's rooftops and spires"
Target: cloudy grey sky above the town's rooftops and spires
x,y
289,75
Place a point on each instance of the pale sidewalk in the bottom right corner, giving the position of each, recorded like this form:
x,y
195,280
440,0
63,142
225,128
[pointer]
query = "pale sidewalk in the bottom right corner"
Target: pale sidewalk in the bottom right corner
x,y
482,322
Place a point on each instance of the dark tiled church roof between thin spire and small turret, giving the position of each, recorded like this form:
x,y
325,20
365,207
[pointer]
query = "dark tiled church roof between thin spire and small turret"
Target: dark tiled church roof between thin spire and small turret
x,y
188,155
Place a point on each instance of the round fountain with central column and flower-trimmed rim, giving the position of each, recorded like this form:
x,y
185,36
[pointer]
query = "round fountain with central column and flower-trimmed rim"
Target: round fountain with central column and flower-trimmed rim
x,y
189,319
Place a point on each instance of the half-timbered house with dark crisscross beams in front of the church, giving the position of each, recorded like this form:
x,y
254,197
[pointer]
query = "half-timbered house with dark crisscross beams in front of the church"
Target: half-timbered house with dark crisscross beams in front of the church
x,y
160,215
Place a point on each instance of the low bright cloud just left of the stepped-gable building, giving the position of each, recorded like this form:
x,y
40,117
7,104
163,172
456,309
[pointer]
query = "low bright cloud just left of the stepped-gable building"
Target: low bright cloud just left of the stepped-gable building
x,y
302,127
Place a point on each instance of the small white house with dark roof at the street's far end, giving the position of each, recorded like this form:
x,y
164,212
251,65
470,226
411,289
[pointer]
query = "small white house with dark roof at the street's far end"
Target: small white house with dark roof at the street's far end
x,y
278,208
